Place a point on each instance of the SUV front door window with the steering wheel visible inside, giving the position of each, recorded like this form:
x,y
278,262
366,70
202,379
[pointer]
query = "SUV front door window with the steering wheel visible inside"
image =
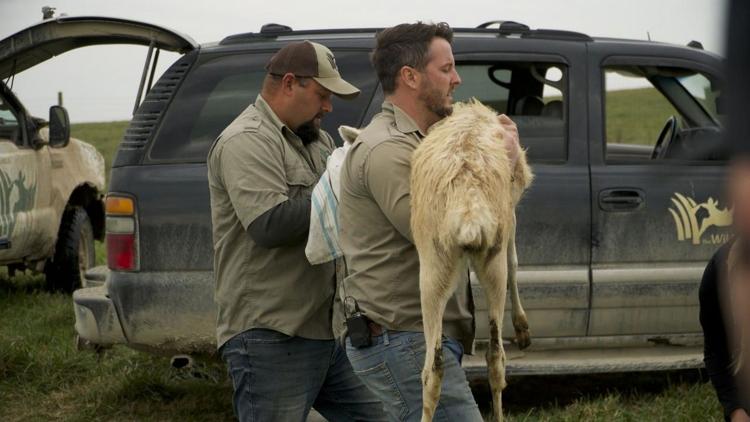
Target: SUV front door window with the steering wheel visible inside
x,y
657,113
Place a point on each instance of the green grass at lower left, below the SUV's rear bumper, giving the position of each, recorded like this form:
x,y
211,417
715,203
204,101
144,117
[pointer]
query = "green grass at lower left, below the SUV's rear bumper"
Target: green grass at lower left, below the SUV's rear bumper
x,y
43,377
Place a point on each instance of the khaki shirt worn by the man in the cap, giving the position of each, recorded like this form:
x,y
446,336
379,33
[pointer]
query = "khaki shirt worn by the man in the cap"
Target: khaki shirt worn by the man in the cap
x,y
255,164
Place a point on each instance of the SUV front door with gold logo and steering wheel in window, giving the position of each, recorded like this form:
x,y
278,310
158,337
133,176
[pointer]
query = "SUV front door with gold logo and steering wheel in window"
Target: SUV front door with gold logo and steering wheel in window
x,y
657,218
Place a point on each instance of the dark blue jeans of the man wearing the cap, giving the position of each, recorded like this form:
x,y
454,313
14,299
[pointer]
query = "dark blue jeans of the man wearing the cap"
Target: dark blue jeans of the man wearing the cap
x,y
277,377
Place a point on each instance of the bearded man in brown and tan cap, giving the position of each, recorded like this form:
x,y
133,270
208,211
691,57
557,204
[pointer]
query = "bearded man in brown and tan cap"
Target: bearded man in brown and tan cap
x,y
274,324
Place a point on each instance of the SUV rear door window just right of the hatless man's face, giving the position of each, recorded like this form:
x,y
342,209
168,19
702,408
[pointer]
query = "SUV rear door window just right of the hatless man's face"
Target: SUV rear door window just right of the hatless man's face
x,y
532,94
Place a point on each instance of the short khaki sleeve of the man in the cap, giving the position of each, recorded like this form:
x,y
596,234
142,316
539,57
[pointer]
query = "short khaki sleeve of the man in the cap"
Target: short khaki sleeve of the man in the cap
x,y
252,169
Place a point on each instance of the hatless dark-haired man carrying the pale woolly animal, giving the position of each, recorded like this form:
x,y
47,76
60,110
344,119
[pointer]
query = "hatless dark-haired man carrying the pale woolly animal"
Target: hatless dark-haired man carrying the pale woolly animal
x,y
416,69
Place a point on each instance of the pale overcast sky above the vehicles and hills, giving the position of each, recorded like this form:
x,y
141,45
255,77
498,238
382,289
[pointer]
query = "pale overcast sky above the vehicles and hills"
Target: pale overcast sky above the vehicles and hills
x,y
100,83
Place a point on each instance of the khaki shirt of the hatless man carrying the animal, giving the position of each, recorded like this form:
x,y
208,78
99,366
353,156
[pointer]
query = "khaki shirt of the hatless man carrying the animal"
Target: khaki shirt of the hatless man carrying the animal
x,y
374,214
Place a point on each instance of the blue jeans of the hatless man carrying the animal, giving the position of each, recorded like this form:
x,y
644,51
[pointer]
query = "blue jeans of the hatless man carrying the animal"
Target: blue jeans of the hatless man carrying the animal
x,y
392,369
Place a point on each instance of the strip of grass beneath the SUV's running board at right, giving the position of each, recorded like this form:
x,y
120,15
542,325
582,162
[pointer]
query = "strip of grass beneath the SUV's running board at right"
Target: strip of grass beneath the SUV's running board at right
x,y
665,396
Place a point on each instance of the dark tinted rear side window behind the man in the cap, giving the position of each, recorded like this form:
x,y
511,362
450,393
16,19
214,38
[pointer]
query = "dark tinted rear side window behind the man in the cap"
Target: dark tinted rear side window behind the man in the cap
x,y
221,86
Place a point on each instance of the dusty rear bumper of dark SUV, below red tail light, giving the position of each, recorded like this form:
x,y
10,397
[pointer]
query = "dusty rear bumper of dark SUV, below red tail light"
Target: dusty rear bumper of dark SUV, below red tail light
x,y
159,312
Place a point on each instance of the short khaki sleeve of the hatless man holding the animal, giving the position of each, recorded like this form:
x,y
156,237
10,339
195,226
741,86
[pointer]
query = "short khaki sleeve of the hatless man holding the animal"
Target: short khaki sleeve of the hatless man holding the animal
x,y
386,174
